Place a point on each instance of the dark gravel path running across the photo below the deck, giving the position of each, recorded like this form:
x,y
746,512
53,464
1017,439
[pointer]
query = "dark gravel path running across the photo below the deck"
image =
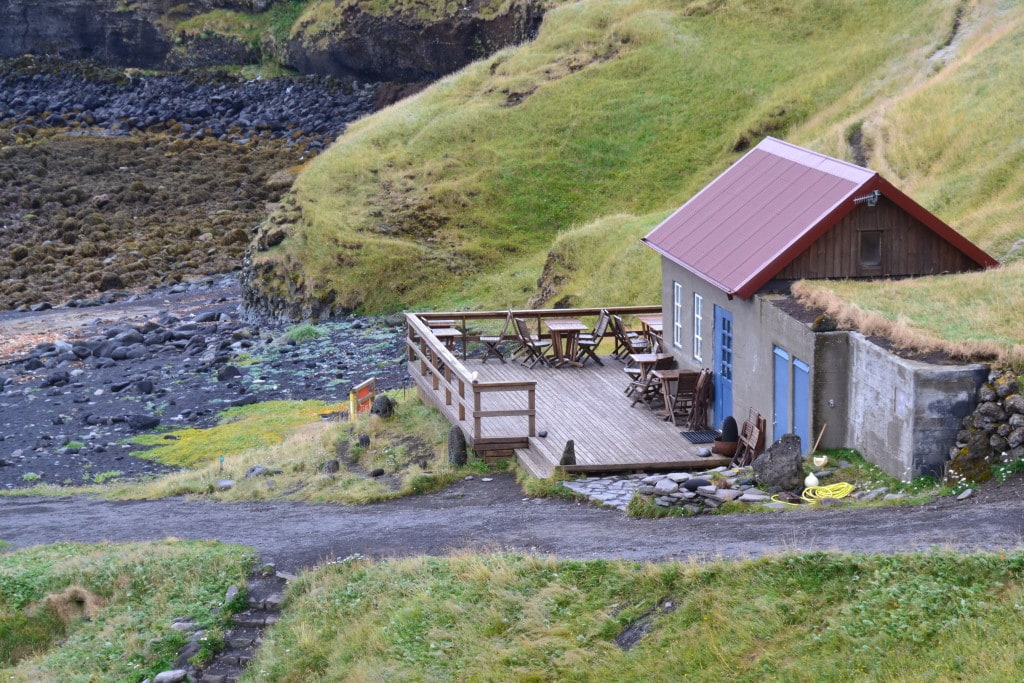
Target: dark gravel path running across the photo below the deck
x,y
495,517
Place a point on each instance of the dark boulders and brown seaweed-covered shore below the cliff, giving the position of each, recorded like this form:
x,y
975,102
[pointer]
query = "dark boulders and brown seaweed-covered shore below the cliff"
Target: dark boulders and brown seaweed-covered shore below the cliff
x,y
114,182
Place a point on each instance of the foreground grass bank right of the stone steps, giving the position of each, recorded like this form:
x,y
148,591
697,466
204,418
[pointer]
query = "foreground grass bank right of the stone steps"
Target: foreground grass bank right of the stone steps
x,y
802,618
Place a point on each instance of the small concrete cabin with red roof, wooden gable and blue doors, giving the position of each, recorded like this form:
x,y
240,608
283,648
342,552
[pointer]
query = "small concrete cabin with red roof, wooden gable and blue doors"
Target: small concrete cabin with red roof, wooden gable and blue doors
x,y
784,214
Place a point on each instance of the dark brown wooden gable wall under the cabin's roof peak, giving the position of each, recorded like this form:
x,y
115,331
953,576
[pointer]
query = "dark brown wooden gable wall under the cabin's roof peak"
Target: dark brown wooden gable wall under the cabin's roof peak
x,y
909,248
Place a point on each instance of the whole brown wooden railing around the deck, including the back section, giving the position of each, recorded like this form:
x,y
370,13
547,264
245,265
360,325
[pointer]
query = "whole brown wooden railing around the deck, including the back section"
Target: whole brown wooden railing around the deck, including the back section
x,y
459,393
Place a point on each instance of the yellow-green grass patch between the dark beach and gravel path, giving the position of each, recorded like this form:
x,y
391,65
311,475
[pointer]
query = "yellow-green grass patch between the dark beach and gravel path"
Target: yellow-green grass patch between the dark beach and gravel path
x,y
288,440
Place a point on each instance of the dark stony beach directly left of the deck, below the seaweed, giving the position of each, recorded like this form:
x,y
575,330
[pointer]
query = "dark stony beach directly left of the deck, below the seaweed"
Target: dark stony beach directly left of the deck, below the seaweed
x,y
76,383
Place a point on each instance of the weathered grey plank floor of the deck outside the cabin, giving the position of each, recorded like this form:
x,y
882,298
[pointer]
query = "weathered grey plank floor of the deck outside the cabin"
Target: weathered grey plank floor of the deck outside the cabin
x,y
586,405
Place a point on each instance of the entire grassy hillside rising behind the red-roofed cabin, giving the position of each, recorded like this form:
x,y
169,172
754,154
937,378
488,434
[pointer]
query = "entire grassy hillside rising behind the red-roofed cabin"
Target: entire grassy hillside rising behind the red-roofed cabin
x,y
566,151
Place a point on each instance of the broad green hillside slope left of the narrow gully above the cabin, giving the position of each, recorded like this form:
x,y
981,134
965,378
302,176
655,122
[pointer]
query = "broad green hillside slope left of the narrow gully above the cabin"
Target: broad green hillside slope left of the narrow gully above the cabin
x,y
618,109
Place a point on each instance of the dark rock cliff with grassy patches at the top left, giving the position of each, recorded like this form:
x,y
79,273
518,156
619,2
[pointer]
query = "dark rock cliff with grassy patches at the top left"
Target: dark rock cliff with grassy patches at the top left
x,y
350,39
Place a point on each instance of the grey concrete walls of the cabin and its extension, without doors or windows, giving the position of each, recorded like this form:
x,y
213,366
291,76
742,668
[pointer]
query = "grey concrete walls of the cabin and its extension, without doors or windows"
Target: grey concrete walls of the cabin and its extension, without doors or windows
x,y
902,415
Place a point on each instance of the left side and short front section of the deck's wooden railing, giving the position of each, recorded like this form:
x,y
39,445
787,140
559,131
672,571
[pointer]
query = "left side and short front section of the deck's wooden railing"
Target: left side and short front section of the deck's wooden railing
x,y
438,371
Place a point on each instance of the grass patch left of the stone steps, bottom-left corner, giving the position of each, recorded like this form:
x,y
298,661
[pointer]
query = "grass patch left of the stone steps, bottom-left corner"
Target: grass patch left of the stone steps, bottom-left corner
x,y
77,613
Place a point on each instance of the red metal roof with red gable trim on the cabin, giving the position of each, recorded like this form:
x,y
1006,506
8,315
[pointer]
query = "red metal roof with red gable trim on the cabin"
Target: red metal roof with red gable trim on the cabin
x,y
767,208
